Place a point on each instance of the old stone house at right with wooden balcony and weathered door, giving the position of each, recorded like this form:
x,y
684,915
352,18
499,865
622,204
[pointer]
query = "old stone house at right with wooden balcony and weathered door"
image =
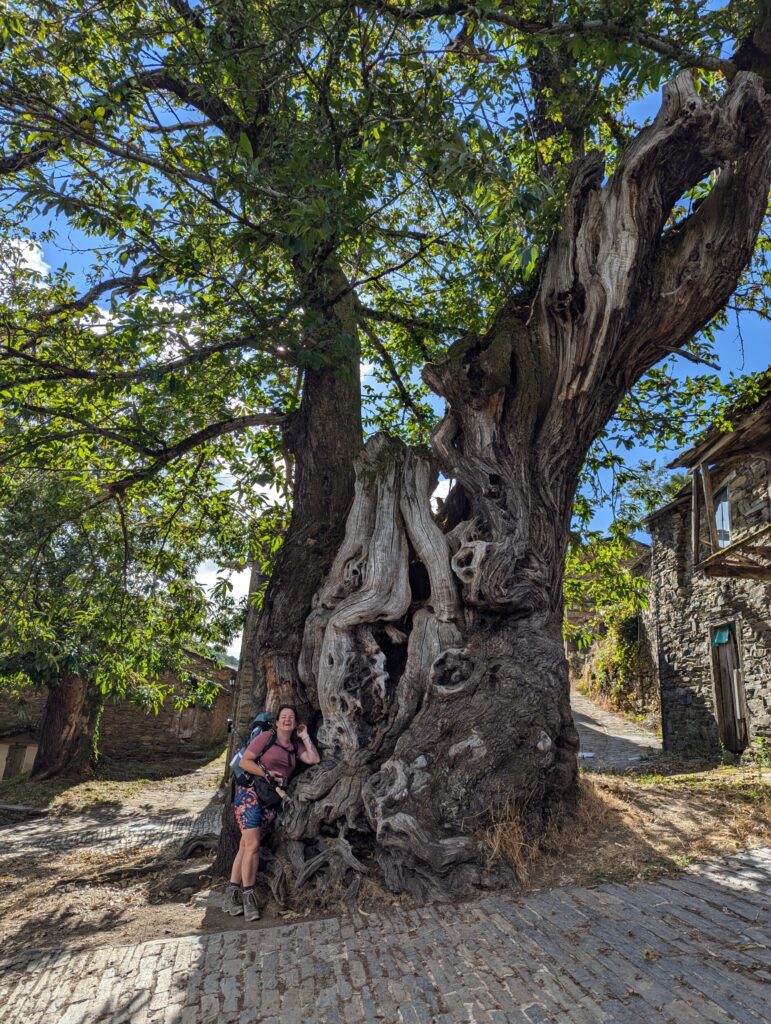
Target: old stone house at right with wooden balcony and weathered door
x,y
709,620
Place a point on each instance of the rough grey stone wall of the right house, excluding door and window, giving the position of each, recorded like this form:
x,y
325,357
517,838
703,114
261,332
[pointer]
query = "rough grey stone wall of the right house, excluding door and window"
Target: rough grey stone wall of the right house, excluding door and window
x,y
686,608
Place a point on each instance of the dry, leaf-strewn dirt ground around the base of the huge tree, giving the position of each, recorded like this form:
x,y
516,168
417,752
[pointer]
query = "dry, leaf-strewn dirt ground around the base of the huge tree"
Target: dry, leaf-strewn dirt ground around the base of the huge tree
x,y
635,827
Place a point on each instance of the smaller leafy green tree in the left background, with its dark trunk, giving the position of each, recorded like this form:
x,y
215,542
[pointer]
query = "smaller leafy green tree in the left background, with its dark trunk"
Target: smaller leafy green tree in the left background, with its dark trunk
x,y
95,609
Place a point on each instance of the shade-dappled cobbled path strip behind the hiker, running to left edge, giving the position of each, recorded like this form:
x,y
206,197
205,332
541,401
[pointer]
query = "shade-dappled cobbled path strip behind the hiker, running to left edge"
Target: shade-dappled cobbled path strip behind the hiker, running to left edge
x,y
111,833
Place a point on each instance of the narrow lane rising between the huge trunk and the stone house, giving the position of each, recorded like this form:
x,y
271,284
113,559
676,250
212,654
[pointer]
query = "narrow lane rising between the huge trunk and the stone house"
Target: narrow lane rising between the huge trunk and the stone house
x,y
609,742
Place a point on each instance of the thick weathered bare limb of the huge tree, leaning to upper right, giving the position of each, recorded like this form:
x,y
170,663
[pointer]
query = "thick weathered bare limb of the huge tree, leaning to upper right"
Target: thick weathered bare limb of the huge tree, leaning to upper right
x,y
618,291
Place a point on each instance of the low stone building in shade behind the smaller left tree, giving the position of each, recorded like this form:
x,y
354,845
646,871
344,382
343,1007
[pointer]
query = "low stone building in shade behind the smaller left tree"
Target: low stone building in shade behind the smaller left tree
x,y
126,731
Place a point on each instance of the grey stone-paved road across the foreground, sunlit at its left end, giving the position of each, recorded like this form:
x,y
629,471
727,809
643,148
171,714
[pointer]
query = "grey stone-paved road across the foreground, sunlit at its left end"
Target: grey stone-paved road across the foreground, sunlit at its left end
x,y
688,951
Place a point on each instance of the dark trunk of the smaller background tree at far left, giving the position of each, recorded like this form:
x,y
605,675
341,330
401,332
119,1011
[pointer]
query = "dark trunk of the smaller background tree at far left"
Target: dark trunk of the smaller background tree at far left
x,y
67,729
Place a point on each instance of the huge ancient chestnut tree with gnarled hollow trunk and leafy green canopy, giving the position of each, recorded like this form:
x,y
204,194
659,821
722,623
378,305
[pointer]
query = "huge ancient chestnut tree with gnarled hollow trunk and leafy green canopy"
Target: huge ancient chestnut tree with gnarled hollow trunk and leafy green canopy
x,y
281,191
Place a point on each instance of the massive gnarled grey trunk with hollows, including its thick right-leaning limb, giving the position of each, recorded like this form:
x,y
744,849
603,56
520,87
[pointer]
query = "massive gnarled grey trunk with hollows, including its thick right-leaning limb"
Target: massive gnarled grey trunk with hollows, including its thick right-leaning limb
x,y
434,654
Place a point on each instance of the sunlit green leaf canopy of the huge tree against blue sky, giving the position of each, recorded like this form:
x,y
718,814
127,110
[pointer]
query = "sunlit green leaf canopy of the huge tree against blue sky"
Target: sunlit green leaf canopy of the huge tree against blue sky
x,y
227,174
